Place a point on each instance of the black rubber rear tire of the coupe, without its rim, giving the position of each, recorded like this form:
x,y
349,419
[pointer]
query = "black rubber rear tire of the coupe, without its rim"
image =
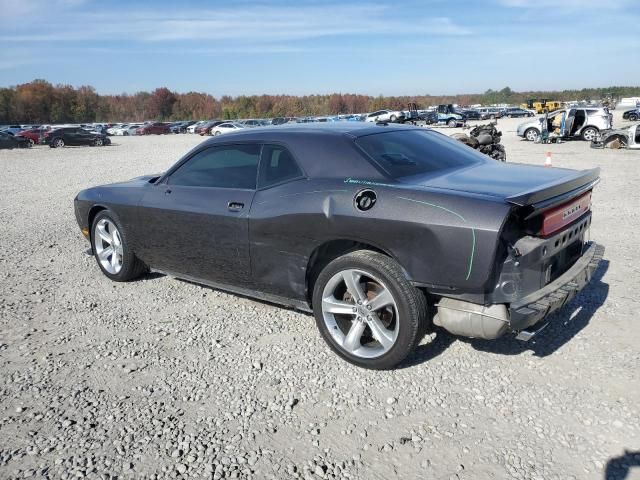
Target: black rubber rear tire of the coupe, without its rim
x,y
411,304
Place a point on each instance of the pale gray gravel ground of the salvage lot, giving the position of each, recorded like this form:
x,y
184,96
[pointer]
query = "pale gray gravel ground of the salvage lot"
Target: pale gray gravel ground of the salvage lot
x,y
163,378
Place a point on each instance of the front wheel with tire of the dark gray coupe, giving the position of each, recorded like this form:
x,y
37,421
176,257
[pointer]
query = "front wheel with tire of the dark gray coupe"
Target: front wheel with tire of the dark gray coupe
x,y
111,250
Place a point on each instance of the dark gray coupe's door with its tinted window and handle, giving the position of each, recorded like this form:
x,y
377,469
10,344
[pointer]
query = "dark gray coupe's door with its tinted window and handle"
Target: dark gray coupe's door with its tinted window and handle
x,y
194,223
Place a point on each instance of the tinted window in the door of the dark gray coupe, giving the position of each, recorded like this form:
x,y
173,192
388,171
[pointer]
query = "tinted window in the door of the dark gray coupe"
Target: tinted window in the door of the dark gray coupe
x,y
231,166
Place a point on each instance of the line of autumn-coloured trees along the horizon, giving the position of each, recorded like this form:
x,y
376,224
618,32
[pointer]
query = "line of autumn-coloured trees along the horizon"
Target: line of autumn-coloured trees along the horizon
x,y
42,102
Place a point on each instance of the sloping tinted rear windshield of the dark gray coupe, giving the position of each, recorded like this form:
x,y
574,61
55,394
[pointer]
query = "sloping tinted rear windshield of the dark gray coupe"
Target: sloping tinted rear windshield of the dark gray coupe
x,y
405,153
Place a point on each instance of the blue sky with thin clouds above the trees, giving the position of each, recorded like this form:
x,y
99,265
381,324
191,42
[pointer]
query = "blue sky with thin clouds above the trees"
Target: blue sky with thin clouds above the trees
x,y
303,47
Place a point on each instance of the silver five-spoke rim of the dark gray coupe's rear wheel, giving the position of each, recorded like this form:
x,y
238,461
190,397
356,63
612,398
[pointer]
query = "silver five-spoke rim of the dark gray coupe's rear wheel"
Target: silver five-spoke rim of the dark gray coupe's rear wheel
x,y
360,313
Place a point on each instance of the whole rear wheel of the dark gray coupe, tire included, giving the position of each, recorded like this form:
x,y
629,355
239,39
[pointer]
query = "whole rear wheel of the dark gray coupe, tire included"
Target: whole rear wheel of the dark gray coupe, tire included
x,y
367,311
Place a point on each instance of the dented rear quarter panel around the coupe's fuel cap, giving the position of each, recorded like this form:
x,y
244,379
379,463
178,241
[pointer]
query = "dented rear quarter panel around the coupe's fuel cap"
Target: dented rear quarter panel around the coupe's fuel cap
x,y
441,240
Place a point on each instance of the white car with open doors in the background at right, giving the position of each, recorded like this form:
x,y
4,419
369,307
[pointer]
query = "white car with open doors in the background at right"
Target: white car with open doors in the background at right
x,y
583,123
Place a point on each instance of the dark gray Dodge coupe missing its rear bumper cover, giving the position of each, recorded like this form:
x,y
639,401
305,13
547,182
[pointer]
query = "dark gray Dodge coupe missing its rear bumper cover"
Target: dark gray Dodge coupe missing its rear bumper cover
x,y
380,230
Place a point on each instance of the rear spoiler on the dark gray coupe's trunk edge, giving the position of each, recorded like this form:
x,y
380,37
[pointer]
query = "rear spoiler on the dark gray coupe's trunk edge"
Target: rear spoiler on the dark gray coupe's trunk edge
x,y
558,191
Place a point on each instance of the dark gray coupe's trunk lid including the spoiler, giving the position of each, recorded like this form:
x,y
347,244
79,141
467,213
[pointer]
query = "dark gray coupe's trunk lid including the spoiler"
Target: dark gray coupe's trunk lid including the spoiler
x,y
513,183
